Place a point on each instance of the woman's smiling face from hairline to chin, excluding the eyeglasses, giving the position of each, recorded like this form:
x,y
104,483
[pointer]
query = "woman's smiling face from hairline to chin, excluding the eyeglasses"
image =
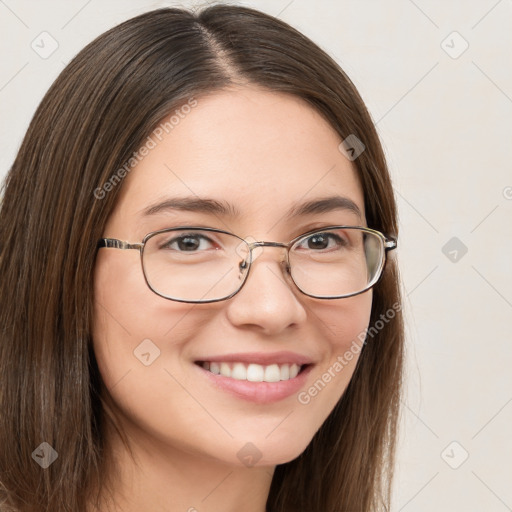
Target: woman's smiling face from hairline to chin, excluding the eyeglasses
x,y
261,154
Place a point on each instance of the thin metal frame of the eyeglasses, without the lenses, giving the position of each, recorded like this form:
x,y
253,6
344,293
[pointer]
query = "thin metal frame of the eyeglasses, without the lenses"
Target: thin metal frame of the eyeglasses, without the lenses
x,y
388,243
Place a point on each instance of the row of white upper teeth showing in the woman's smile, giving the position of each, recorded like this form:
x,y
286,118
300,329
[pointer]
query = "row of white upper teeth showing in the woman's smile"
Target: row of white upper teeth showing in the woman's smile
x,y
253,372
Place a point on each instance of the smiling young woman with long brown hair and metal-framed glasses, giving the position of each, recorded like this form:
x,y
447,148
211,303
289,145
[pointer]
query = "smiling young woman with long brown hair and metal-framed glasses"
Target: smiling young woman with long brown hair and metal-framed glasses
x,y
154,356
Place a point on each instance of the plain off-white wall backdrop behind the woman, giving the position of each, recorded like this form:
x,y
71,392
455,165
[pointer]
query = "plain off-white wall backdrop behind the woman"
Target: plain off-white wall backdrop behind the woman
x,y
437,79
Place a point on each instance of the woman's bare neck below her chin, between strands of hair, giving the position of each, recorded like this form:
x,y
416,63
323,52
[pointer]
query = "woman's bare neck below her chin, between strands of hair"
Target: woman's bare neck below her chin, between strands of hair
x,y
164,478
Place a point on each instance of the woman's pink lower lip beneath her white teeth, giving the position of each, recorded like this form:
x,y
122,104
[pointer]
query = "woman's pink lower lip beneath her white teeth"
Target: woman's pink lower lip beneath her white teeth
x,y
258,392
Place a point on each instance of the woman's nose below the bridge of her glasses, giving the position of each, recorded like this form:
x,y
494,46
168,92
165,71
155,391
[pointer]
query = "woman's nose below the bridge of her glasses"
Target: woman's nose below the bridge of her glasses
x,y
268,300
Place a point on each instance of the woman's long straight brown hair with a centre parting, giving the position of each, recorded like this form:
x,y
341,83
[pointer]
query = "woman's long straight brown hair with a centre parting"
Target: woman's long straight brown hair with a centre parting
x,y
99,111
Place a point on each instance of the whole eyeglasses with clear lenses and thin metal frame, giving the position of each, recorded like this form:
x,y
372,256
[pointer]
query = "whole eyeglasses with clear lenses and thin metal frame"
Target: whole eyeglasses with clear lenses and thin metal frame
x,y
200,265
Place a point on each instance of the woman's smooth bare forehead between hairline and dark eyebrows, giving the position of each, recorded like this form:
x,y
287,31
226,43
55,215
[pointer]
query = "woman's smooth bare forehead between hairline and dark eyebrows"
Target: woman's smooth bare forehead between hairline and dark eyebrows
x,y
258,150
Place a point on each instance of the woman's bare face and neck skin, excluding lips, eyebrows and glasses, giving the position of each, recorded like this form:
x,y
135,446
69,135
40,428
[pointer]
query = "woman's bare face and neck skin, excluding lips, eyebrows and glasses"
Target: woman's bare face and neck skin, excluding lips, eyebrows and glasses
x,y
261,151
